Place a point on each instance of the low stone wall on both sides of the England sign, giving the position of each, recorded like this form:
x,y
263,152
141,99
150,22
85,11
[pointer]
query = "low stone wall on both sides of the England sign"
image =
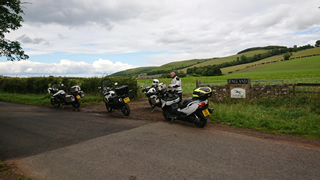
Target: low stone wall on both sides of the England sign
x,y
220,92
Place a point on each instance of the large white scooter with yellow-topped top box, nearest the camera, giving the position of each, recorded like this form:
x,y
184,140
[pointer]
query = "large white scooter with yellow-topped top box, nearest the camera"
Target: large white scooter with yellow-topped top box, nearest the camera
x,y
193,110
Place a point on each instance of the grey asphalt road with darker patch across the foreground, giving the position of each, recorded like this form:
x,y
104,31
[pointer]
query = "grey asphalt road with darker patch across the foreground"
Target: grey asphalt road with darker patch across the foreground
x,y
48,143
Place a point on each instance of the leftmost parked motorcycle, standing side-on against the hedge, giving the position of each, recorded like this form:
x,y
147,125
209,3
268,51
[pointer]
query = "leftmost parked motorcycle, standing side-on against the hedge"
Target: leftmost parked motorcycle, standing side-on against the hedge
x,y
59,96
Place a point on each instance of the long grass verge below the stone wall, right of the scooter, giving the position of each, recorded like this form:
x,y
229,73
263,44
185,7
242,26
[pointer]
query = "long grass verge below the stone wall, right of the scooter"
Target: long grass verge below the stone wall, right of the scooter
x,y
295,115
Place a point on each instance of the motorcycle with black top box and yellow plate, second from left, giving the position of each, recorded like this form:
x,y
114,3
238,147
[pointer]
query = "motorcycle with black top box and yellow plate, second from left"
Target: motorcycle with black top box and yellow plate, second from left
x,y
117,98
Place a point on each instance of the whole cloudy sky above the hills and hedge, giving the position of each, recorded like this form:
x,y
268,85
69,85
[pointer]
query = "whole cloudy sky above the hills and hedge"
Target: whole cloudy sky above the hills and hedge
x,y
82,38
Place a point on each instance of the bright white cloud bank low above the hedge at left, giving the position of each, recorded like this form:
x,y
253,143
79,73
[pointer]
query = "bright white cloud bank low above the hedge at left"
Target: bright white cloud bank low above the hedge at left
x,y
63,68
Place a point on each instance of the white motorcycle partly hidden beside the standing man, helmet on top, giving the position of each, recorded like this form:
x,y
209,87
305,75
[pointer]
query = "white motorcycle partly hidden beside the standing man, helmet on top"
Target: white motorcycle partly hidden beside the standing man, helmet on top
x,y
152,94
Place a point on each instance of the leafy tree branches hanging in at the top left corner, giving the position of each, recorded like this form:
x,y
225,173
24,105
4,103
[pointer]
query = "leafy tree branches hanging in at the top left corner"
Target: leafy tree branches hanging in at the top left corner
x,y
10,19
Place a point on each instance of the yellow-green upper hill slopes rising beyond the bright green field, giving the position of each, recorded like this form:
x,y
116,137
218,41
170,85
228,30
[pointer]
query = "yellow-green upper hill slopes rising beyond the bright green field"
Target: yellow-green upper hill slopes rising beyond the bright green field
x,y
182,66
